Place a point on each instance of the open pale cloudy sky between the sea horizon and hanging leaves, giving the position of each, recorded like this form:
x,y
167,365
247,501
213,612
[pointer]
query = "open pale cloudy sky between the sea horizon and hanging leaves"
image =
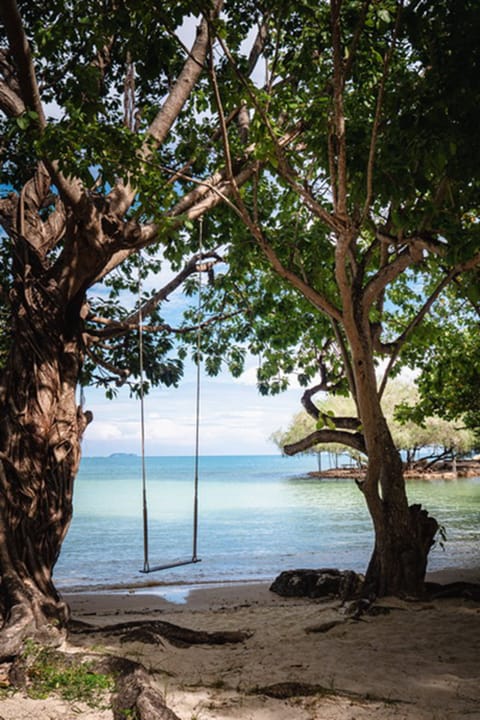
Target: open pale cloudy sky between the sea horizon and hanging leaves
x,y
234,418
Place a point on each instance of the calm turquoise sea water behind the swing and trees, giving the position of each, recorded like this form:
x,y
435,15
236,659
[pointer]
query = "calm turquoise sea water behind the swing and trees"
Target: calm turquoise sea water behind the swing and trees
x,y
258,515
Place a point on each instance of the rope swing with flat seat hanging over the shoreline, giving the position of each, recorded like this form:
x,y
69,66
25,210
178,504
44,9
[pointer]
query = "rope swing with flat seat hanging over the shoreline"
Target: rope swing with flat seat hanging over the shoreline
x,y
147,568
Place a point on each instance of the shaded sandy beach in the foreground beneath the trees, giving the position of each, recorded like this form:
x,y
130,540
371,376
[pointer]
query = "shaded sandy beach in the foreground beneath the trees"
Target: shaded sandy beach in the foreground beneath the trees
x,y
300,659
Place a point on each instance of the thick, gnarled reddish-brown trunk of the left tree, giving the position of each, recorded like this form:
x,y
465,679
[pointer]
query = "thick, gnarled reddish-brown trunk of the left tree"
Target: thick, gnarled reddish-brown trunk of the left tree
x,y
40,432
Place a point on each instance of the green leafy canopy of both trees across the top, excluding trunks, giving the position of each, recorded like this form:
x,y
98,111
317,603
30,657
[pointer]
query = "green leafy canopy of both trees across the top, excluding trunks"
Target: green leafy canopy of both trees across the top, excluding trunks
x,y
105,87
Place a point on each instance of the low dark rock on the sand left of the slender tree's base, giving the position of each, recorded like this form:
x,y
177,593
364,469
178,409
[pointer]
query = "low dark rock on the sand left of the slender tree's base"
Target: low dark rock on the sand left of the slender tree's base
x,y
322,583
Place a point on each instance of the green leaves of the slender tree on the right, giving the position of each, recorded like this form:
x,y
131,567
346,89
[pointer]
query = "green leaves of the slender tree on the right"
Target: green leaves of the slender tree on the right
x,y
413,189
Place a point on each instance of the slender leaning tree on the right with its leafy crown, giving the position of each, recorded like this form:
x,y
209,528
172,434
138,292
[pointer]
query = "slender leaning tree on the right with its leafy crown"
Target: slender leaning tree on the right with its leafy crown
x,y
370,215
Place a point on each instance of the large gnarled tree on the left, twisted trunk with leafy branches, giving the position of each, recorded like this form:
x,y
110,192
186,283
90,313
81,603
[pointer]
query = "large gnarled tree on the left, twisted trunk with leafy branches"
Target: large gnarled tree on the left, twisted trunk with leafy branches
x,y
108,148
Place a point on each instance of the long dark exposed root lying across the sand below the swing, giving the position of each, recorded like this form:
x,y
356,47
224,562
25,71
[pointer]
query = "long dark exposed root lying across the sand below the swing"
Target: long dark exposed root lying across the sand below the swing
x,y
155,631
